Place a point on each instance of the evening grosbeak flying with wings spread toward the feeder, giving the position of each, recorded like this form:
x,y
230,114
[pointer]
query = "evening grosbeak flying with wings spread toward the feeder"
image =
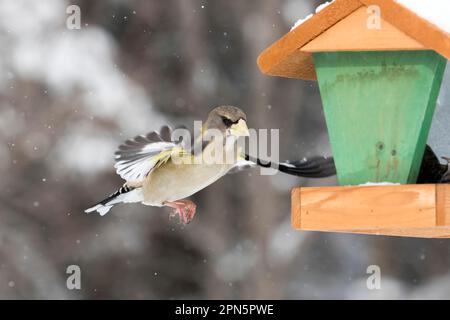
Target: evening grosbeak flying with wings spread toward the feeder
x,y
162,172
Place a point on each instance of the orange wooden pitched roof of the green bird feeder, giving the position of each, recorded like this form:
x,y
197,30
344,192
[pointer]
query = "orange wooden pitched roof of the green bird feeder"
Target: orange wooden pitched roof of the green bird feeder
x,y
291,55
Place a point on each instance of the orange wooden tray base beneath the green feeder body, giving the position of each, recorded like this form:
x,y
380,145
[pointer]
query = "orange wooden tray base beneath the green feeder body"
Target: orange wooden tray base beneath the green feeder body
x,y
391,210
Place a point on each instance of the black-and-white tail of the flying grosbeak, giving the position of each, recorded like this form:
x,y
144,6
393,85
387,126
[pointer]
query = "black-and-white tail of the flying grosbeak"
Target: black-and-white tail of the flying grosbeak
x,y
123,195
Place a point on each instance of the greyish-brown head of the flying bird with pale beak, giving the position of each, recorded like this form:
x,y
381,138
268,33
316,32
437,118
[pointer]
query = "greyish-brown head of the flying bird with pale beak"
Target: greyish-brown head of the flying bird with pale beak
x,y
231,121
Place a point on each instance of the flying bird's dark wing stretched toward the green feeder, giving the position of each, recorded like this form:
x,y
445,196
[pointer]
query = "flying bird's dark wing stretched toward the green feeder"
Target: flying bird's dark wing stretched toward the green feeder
x,y
315,167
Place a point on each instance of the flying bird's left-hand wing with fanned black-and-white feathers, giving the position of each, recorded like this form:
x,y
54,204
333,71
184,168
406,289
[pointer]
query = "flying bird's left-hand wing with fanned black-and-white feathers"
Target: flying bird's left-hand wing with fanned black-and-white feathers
x,y
137,157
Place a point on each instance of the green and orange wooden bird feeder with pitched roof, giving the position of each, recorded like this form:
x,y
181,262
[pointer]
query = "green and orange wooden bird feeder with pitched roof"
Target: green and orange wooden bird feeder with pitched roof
x,y
379,67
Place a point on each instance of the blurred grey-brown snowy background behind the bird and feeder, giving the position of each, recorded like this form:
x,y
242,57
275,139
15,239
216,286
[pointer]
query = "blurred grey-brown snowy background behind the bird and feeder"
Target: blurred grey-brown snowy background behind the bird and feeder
x,y
69,97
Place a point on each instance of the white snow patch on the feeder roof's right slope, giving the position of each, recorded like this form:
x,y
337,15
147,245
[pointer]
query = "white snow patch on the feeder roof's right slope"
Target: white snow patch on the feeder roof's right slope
x,y
435,11
